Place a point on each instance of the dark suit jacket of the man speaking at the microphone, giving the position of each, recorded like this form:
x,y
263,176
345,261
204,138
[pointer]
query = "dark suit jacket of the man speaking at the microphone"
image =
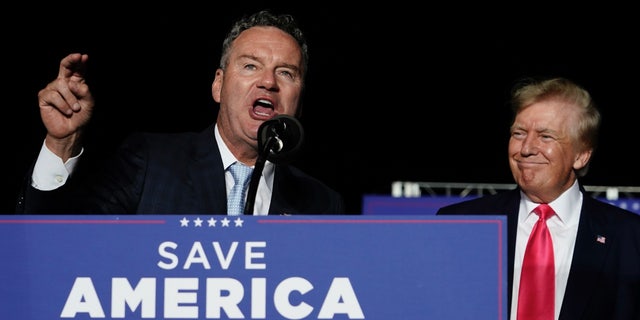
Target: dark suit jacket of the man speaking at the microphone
x,y
179,173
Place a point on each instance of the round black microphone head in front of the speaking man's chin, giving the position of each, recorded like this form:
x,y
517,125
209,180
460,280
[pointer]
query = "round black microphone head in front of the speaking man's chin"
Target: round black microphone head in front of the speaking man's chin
x,y
280,138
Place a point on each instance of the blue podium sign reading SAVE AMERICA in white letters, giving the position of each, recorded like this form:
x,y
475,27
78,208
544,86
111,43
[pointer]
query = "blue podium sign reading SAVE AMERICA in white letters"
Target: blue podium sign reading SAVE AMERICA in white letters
x,y
248,267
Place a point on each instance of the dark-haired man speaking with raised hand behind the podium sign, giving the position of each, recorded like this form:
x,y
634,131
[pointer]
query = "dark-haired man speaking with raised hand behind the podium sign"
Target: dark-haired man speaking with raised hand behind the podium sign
x,y
261,76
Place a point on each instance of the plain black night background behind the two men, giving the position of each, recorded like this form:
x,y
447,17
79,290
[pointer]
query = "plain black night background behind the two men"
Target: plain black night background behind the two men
x,y
393,93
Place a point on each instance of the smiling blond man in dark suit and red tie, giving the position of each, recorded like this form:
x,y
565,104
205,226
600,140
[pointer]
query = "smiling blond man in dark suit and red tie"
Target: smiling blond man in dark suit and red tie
x,y
596,245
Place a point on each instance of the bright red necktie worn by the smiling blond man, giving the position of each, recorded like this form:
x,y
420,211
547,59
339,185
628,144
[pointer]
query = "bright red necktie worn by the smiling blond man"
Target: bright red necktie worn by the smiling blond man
x,y
537,282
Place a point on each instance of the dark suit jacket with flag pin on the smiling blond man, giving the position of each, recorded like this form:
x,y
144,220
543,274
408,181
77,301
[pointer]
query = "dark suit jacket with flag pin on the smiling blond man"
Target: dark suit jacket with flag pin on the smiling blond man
x,y
604,280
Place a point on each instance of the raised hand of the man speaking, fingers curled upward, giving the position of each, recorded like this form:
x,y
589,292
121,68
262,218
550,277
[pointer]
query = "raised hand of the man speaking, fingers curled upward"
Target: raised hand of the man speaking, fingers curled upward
x,y
66,105
